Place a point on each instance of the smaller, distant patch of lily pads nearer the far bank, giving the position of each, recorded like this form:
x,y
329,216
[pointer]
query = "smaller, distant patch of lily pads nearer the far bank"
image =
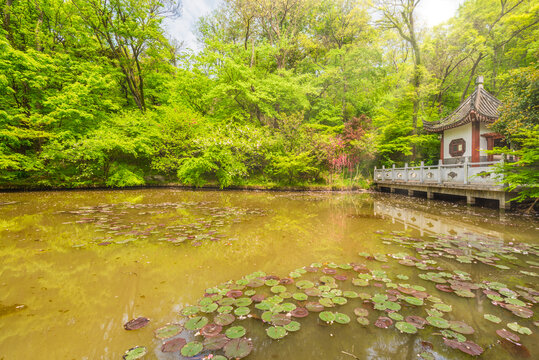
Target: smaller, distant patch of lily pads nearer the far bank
x,y
197,222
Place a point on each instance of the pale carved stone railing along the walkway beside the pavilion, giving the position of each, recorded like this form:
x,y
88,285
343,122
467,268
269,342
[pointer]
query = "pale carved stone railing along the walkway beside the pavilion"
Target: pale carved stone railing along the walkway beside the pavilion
x,y
467,173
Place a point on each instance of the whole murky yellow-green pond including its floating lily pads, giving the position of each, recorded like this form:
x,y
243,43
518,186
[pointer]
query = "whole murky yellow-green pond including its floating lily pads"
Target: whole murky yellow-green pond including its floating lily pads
x,y
269,275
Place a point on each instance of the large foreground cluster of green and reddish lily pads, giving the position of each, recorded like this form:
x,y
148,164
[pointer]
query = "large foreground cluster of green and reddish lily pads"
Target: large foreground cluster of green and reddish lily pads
x,y
215,328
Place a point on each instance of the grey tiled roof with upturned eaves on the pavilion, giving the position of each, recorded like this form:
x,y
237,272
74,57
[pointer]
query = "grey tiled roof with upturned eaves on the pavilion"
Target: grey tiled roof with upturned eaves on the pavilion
x,y
480,105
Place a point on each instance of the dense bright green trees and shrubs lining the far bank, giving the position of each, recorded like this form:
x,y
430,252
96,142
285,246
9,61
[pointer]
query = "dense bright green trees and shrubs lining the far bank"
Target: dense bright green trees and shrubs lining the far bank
x,y
93,93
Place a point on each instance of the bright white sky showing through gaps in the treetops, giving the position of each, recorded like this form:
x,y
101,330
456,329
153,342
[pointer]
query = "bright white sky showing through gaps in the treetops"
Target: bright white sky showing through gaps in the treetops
x,y
431,12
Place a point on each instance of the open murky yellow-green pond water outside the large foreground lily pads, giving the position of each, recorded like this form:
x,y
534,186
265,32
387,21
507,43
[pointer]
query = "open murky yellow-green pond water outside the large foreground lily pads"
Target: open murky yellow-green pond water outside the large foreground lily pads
x,y
80,293
